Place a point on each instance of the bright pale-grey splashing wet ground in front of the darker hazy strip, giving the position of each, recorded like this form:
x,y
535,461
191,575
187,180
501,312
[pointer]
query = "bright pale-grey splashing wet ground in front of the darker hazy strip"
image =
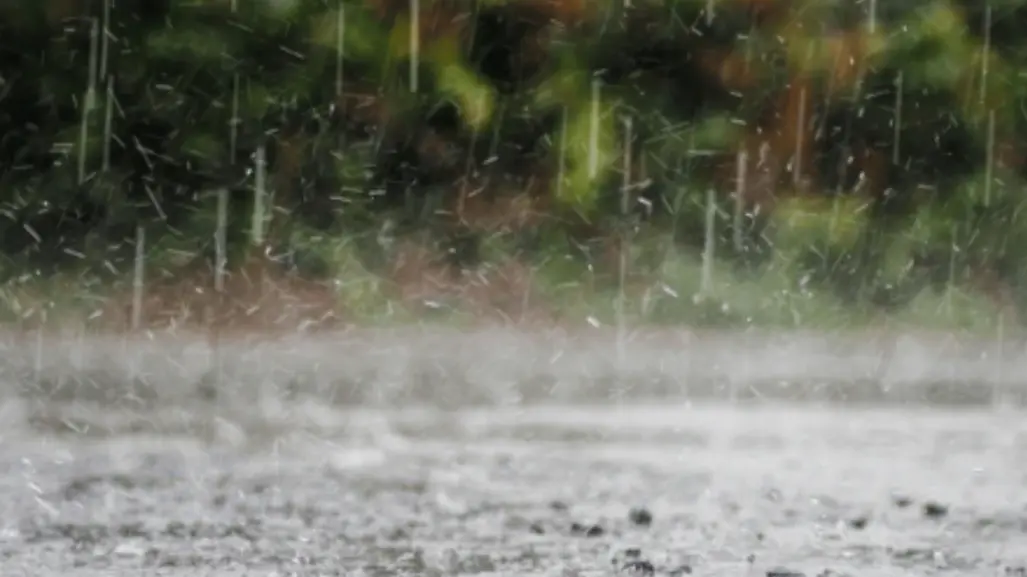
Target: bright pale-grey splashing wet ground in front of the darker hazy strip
x,y
673,490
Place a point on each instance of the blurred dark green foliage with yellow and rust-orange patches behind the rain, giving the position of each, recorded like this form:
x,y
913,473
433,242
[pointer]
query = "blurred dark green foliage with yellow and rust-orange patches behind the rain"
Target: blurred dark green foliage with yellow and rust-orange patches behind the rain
x,y
881,143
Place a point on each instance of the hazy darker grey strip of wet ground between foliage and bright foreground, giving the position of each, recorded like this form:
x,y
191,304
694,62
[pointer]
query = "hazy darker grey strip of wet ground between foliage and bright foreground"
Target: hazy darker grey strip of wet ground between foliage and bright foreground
x,y
450,368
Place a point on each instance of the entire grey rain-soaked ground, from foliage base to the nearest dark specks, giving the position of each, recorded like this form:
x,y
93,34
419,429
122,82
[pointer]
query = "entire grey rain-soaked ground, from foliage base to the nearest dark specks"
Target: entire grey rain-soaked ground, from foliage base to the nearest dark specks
x,y
282,474
